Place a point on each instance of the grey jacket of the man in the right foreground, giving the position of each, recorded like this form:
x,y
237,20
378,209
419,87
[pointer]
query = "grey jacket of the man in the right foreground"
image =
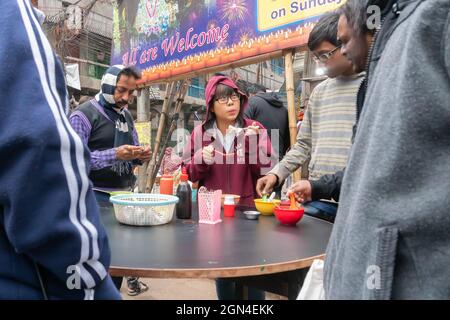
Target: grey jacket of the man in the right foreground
x,y
391,238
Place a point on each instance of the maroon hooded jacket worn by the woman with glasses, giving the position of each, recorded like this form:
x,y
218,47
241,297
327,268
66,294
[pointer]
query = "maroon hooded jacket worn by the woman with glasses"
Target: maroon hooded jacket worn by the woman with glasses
x,y
237,171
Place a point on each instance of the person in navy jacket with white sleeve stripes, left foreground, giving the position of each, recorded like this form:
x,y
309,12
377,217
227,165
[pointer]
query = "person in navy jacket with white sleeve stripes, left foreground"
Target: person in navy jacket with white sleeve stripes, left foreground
x,y
52,243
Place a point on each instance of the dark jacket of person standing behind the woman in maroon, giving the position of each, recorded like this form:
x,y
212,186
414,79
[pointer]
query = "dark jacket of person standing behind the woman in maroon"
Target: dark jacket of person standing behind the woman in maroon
x,y
268,109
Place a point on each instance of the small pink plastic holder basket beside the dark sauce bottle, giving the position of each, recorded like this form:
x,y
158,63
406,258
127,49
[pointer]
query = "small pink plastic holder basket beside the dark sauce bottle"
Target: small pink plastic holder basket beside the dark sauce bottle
x,y
209,206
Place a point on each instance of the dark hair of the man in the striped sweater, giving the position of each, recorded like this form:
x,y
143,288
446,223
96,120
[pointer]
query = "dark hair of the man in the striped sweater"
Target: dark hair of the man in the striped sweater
x,y
324,30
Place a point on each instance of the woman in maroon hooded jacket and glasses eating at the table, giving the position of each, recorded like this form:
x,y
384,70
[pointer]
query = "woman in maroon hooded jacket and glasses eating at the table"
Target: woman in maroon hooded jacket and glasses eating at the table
x,y
229,153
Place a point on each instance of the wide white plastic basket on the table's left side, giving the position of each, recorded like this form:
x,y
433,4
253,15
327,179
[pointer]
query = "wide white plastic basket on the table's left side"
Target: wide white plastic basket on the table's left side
x,y
144,209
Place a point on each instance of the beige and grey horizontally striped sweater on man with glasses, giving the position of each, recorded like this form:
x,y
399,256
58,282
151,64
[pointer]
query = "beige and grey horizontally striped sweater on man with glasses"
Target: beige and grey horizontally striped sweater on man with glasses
x,y
326,131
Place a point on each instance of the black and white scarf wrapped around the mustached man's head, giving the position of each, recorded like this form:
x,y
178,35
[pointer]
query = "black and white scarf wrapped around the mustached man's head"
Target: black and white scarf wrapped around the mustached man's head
x,y
123,133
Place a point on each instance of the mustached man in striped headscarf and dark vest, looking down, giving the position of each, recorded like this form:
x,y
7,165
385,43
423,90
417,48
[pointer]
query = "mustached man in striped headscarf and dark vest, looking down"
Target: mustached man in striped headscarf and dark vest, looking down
x,y
106,126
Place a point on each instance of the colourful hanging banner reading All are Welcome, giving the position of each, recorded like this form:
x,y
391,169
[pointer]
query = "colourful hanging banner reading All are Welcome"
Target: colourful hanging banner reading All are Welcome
x,y
167,38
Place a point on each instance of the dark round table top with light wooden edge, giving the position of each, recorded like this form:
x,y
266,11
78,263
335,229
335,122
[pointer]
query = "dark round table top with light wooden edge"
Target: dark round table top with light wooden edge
x,y
236,247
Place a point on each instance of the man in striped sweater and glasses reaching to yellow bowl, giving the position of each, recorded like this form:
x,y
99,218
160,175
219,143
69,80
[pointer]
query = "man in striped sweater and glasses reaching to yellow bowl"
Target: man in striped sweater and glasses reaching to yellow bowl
x,y
326,132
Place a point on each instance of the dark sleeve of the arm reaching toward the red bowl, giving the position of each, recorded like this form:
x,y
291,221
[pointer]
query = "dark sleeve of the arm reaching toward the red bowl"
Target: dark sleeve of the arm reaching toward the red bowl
x,y
327,187
